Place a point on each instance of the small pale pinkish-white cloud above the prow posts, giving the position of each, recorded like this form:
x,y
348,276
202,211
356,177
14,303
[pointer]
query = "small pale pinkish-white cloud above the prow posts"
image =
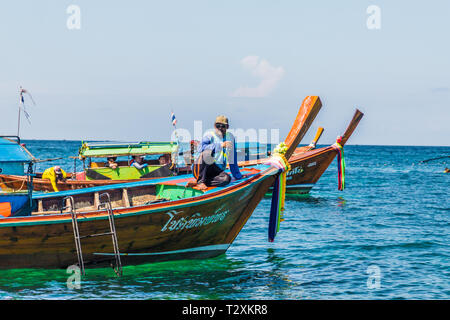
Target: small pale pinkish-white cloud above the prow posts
x,y
261,68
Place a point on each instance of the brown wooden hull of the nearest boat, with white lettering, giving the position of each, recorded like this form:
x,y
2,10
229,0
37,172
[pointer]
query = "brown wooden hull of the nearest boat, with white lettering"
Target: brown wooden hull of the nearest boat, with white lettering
x,y
177,230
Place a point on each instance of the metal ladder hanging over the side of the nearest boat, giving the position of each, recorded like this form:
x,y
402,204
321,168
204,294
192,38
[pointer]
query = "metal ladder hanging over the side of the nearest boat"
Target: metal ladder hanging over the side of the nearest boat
x,y
106,204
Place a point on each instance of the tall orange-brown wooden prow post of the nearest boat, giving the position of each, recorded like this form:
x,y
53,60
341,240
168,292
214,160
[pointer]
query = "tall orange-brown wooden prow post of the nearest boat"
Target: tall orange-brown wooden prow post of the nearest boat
x,y
308,111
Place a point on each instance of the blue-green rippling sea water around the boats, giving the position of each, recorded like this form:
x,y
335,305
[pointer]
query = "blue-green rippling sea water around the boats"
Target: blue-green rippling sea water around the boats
x,y
386,236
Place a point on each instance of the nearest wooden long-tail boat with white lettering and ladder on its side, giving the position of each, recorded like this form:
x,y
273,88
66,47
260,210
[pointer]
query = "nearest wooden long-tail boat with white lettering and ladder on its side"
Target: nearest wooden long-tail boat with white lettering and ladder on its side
x,y
141,221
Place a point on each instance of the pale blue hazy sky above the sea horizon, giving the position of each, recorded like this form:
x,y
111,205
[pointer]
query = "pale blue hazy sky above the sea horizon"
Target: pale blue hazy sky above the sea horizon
x,y
132,62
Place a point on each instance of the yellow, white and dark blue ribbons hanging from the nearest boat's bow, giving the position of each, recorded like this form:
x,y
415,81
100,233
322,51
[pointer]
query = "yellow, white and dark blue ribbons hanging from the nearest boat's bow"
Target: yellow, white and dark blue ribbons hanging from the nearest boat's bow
x,y
279,161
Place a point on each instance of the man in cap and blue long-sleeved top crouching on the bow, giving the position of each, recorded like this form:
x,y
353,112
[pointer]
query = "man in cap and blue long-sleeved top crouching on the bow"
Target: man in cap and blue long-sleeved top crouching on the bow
x,y
216,149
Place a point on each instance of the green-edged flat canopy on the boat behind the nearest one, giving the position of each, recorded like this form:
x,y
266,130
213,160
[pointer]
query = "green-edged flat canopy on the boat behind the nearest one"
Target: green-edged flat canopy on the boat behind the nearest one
x,y
113,149
